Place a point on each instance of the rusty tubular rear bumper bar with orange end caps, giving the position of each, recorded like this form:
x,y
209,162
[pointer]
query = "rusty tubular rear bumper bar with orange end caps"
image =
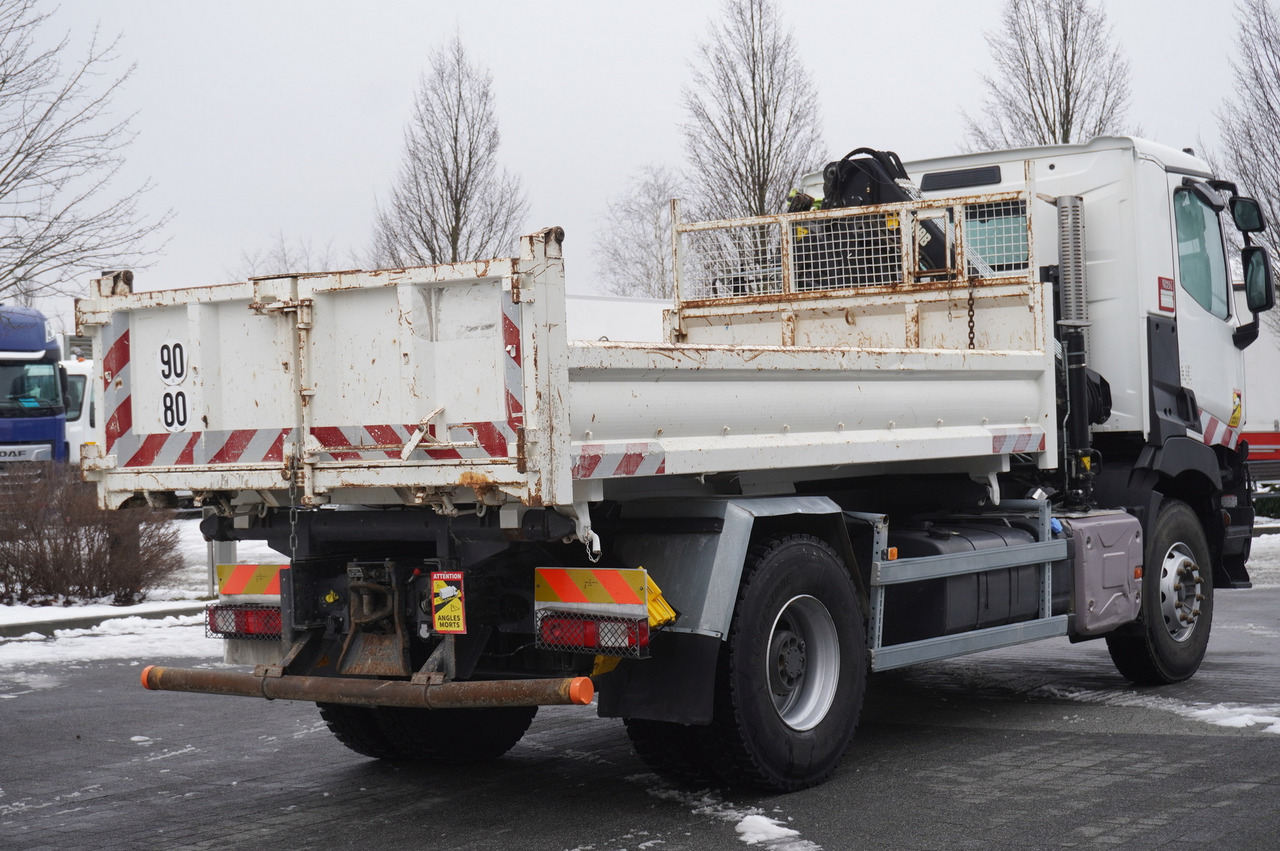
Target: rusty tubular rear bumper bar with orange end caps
x,y
376,693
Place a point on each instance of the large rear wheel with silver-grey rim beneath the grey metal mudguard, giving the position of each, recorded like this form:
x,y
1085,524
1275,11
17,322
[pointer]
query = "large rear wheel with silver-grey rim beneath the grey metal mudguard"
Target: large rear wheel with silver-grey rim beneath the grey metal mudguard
x,y
793,670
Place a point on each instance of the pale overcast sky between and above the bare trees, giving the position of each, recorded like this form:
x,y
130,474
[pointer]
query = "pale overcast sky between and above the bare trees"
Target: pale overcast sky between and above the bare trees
x,y
287,117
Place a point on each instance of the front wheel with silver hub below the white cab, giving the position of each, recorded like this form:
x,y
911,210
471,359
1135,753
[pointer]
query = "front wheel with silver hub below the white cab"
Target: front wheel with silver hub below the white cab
x,y
1169,640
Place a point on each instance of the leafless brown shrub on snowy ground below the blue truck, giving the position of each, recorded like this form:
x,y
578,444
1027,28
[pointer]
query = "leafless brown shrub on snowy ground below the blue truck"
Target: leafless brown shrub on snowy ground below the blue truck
x,y
57,545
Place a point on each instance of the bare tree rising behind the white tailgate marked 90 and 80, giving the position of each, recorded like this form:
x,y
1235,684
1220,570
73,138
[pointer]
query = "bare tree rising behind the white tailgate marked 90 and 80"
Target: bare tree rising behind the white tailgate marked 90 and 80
x,y
451,203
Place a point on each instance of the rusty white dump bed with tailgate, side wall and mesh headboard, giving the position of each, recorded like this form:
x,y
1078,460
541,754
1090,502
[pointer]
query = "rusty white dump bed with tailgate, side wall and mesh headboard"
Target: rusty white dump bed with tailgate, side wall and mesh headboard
x,y
458,385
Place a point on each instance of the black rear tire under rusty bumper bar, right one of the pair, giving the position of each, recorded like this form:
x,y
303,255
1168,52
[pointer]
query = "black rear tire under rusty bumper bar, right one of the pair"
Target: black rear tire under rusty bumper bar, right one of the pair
x,y
455,736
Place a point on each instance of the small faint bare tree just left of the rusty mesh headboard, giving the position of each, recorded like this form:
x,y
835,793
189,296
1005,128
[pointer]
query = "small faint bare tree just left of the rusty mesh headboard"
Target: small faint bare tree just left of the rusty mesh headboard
x,y
634,250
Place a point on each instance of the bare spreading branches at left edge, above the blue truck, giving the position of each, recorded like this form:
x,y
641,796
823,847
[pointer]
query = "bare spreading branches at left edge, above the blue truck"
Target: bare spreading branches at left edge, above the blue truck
x,y
61,152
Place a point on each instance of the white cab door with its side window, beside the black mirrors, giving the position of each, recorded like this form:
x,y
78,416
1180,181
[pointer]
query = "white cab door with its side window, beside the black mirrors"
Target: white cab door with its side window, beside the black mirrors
x,y
1212,367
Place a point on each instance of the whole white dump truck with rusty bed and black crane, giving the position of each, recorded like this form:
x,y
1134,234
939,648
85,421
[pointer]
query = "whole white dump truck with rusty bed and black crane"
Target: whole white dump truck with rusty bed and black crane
x,y
962,405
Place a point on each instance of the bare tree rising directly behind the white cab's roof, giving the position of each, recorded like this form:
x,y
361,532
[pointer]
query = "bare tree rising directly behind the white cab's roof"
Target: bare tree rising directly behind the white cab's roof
x,y
1059,77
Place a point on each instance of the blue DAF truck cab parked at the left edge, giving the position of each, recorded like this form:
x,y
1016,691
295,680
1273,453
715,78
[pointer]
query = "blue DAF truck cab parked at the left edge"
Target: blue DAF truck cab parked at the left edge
x,y
33,390
